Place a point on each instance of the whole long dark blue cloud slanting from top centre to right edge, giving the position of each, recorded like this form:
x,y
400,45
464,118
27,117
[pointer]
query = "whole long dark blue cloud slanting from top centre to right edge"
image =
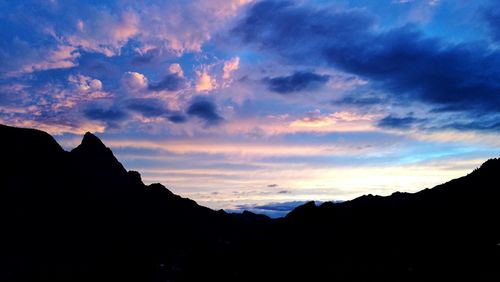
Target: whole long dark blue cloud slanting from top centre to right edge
x,y
404,62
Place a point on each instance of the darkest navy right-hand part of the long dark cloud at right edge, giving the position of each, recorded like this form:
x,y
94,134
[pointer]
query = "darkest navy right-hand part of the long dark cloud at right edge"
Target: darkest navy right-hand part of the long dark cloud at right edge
x,y
411,66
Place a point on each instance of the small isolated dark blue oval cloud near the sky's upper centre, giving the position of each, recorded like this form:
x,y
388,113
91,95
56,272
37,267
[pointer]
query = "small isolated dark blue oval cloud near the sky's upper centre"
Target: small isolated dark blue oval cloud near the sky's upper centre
x,y
296,82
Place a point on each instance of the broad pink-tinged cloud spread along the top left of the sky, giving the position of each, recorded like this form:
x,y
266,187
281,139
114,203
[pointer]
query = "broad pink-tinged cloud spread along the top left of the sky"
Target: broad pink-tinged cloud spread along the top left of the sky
x,y
167,26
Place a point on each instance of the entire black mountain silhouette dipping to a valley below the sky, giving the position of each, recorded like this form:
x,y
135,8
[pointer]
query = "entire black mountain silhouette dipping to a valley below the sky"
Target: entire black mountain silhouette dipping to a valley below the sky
x,y
80,216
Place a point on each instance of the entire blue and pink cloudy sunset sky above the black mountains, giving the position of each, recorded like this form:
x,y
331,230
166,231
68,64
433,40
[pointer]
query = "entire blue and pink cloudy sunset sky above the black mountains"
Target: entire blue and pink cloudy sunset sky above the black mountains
x,y
262,105
